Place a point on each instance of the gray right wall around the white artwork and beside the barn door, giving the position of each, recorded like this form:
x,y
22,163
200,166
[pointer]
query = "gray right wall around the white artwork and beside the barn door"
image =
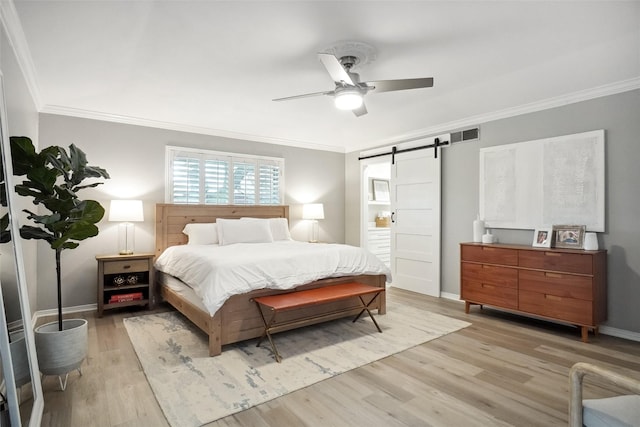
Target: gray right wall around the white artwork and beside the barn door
x,y
619,115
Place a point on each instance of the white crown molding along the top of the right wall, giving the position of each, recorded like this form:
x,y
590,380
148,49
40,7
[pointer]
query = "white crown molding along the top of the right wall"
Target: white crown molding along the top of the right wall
x,y
545,104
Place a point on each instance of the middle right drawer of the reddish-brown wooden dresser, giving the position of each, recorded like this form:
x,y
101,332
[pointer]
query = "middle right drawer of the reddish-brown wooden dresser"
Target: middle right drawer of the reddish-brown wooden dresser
x,y
564,285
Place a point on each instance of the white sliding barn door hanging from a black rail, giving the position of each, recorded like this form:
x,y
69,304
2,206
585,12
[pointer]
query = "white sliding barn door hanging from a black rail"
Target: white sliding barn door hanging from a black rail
x,y
415,229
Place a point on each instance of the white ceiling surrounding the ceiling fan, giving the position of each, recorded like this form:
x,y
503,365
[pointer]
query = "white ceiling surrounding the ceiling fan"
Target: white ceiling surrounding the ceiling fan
x,y
214,66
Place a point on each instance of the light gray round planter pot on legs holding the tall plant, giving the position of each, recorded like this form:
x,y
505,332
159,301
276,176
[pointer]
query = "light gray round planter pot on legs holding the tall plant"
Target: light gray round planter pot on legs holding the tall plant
x,y
60,352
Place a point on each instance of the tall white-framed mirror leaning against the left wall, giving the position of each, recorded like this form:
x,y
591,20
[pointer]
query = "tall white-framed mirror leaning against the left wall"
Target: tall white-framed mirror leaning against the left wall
x,y
25,401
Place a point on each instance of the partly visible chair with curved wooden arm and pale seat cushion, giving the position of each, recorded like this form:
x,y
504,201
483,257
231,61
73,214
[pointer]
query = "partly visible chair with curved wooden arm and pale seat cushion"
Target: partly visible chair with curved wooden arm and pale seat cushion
x,y
612,411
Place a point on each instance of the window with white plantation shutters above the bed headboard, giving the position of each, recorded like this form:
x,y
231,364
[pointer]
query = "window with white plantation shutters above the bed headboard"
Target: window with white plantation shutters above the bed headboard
x,y
216,178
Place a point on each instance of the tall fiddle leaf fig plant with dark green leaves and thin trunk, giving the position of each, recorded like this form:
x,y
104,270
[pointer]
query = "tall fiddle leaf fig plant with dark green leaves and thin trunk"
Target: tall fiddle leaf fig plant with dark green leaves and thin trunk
x,y
53,179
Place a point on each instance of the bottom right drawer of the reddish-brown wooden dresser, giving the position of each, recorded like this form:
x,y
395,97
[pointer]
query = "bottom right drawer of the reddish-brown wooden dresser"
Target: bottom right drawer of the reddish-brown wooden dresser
x,y
557,307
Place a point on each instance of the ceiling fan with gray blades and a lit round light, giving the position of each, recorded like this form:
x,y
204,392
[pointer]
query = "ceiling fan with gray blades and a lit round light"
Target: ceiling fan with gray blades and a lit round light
x,y
350,91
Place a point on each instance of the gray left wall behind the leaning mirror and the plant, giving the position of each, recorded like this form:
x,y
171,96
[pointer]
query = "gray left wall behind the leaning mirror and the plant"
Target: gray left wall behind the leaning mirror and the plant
x,y
22,119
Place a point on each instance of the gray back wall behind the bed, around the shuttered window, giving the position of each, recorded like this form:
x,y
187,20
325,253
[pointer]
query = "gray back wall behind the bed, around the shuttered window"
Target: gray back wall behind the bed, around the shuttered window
x,y
134,156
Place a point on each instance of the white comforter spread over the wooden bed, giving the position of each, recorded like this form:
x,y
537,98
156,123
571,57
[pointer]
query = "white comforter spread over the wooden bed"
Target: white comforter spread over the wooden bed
x,y
217,272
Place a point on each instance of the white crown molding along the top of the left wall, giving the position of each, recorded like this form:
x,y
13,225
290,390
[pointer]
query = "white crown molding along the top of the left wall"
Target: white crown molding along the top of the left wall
x,y
18,42
